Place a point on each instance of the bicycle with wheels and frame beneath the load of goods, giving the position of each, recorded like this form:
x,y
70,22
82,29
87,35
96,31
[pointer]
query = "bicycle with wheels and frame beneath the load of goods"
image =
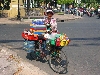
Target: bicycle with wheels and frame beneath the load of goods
x,y
56,62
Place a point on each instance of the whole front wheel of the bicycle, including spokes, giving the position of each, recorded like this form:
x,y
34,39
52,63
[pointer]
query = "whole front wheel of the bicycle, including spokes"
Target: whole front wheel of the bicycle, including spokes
x,y
59,63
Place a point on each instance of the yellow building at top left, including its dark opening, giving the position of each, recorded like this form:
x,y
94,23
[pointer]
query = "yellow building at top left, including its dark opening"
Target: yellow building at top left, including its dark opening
x,y
10,8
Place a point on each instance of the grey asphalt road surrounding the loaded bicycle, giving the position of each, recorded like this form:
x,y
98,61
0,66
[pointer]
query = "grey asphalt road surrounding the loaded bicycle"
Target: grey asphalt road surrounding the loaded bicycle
x,y
83,52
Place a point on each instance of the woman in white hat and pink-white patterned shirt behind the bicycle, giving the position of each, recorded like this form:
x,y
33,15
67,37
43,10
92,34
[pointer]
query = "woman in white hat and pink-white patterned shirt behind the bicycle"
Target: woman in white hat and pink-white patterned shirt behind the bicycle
x,y
49,21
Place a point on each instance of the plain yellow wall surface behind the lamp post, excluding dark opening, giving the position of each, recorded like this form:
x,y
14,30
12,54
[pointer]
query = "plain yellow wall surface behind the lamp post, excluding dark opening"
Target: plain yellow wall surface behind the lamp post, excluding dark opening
x,y
13,12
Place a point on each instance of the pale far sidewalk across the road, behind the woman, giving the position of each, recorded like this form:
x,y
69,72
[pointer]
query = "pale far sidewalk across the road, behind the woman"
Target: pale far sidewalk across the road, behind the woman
x,y
28,21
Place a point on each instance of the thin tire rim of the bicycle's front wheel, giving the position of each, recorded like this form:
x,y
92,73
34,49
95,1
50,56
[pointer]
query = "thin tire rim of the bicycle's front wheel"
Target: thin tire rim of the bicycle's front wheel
x,y
65,68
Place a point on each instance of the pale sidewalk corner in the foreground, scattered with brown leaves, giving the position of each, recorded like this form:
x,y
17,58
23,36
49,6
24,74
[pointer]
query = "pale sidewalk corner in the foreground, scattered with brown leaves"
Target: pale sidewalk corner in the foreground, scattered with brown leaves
x,y
12,64
